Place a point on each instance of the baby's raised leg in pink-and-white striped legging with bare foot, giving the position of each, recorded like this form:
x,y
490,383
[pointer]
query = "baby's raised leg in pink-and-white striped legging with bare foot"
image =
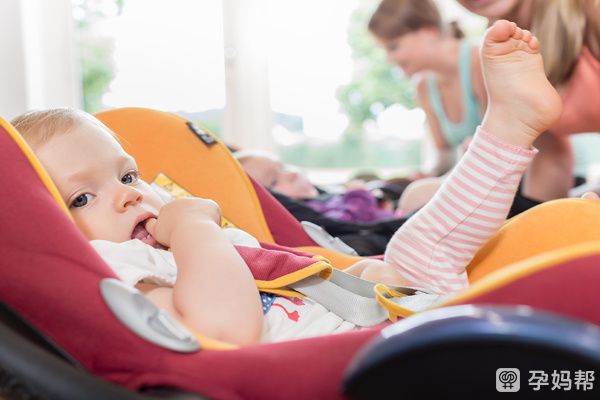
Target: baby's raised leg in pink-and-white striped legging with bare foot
x,y
434,246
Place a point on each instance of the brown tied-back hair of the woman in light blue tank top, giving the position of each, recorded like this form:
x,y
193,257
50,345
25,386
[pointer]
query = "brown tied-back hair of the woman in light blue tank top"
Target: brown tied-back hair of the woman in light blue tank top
x,y
394,18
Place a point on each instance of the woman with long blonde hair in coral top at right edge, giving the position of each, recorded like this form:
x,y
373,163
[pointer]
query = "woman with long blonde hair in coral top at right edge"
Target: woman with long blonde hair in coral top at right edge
x,y
569,31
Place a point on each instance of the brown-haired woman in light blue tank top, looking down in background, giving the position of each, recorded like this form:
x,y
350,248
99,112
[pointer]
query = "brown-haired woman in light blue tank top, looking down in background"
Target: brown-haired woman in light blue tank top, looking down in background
x,y
452,93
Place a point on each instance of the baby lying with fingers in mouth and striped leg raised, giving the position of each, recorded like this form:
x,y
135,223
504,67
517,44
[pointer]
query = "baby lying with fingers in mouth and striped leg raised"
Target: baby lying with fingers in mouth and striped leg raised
x,y
204,283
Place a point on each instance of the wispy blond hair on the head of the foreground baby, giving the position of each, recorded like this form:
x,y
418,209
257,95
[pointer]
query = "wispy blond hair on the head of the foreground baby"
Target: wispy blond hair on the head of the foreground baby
x,y
39,126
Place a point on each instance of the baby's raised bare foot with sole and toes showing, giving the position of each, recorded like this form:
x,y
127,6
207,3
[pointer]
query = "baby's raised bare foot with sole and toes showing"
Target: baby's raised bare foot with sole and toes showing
x,y
521,102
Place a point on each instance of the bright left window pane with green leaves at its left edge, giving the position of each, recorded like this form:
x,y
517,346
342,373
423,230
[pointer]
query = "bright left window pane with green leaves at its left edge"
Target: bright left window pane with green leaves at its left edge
x,y
166,55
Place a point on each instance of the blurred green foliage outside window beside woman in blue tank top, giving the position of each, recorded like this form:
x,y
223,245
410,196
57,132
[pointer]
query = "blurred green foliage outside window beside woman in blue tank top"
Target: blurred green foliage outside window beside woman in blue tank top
x,y
376,85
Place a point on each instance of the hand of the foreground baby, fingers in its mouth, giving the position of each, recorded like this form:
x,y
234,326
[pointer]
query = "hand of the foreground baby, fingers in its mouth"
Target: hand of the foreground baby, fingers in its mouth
x,y
181,214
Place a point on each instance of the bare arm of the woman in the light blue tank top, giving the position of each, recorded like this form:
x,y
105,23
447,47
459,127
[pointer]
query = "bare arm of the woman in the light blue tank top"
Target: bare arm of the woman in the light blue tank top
x,y
445,157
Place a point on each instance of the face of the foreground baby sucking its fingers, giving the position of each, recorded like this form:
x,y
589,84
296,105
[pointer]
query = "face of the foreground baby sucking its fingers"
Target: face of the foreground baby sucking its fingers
x,y
100,184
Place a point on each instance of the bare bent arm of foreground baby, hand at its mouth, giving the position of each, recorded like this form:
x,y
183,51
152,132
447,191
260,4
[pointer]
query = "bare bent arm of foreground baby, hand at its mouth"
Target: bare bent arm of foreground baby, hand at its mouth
x,y
215,292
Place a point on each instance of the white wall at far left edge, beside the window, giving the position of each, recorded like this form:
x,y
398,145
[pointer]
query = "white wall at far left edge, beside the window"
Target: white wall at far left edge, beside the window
x,y
39,67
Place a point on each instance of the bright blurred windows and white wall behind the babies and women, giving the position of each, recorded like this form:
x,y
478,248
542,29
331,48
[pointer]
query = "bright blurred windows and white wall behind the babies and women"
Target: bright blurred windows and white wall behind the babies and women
x,y
303,79
